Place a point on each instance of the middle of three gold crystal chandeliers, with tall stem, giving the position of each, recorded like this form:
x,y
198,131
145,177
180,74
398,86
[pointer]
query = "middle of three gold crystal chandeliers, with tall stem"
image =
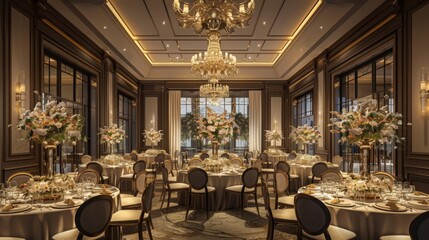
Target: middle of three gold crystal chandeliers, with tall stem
x,y
213,64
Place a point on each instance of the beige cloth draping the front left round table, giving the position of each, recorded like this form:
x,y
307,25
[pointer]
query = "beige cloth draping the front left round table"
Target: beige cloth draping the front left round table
x,y
43,223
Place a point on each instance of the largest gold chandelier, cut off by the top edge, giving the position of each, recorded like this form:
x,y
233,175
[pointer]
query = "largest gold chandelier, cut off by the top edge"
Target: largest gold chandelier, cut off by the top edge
x,y
213,14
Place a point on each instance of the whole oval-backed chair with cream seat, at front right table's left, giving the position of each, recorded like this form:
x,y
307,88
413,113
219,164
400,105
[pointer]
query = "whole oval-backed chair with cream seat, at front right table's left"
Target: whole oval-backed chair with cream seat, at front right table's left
x,y
314,220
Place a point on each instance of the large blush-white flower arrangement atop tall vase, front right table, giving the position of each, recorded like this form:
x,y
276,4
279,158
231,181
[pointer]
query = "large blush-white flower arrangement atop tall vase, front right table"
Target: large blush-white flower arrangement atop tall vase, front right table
x,y
367,123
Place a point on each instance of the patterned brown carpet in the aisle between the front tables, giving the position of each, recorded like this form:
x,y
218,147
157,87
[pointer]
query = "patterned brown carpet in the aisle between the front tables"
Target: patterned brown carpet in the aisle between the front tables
x,y
221,224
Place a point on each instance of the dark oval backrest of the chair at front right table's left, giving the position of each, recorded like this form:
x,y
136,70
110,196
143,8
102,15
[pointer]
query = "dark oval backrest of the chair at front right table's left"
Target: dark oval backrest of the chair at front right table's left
x,y
312,215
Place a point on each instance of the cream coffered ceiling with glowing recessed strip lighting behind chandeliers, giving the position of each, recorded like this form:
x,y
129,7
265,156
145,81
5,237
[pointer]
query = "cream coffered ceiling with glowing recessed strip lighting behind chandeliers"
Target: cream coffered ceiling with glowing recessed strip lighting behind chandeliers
x,y
282,36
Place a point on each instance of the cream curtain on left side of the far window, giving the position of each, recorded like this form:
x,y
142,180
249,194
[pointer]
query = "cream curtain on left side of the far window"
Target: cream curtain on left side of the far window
x,y
174,121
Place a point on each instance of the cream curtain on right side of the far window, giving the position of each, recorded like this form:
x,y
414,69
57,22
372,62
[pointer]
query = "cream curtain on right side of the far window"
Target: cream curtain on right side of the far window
x,y
255,120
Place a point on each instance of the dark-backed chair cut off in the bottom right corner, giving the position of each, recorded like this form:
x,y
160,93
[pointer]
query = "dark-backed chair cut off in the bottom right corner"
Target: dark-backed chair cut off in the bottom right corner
x,y
419,229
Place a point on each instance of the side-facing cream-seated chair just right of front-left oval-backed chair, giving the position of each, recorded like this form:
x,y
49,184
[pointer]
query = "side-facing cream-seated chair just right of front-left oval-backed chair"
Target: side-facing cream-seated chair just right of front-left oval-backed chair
x,y
137,217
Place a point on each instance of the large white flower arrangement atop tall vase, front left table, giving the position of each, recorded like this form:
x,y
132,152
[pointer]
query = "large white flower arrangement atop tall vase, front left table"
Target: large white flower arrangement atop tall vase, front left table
x,y
50,123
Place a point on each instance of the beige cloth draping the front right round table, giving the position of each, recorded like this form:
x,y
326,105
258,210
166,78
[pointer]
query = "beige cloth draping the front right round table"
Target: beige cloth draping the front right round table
x,y
369,222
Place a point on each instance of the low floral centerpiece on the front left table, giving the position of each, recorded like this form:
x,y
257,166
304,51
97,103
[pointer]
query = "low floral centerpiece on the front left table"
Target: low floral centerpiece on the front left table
x,y
42,187
